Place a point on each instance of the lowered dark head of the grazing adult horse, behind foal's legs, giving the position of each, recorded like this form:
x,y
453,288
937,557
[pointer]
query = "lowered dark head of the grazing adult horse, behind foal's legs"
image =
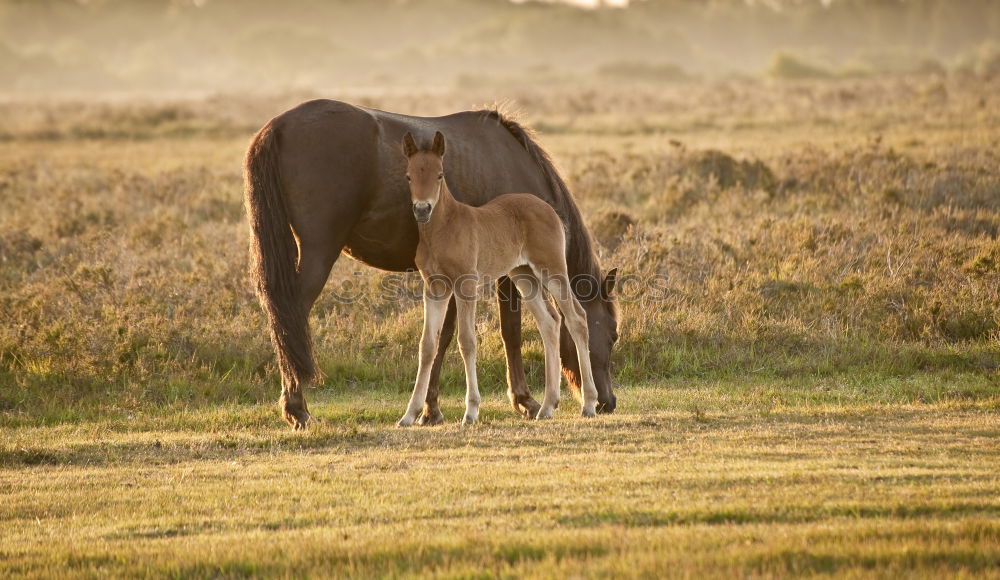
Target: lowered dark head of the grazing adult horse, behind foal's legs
x,y
602,324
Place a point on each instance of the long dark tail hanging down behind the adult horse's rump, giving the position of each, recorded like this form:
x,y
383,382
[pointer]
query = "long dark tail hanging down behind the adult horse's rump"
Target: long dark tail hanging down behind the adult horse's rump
x,y
274,256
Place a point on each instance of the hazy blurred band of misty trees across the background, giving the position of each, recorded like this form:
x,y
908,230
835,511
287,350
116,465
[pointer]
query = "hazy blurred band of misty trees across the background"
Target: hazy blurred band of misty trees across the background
x,y
80,45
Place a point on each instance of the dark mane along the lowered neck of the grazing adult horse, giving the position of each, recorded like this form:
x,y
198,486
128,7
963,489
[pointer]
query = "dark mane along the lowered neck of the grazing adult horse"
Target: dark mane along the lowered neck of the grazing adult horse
x,y
580,256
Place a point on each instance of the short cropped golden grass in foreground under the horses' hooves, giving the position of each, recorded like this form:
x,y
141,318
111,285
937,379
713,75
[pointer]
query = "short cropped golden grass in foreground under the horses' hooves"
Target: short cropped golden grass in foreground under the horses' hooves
x,y
845,490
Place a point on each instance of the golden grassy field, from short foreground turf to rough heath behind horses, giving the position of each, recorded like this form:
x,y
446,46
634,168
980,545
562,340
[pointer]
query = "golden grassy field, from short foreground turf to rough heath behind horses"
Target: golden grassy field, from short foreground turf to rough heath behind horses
x,y
811,387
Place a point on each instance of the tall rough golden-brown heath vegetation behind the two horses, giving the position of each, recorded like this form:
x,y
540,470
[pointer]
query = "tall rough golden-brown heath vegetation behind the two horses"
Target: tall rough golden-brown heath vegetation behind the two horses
x,y
872,248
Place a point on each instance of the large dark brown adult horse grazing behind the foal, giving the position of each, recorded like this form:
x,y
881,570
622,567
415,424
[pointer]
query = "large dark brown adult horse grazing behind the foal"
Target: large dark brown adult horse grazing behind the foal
x,y
327,177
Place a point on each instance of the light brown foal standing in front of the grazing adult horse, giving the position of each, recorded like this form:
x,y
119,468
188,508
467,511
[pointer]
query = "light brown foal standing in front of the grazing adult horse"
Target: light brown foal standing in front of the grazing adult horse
x,y
516,235
